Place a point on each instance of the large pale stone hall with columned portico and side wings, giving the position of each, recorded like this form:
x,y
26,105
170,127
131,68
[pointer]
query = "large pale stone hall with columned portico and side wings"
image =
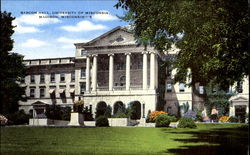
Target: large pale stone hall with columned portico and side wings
x,y
108,70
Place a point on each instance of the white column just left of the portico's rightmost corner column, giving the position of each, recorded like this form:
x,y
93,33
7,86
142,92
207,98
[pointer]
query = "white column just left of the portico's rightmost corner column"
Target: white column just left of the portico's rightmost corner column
x,y
145,70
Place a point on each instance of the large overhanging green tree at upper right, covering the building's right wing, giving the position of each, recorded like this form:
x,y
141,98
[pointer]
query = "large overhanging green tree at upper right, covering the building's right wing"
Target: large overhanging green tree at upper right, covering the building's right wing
x,y
212,36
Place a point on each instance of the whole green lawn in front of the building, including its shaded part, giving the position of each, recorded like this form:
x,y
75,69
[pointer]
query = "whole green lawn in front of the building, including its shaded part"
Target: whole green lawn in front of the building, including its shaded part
x,y
206,139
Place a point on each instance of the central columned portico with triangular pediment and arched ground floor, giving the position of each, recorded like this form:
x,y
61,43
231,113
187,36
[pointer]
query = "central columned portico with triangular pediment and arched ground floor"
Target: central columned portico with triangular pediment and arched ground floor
x,y
118,70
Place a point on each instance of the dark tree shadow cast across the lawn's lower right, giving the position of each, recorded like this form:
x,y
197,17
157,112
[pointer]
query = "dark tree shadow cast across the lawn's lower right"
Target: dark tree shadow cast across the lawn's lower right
x,y
229,141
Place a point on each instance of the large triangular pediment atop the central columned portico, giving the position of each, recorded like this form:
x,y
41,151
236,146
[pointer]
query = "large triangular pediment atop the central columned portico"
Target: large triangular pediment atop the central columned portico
x,y
116,36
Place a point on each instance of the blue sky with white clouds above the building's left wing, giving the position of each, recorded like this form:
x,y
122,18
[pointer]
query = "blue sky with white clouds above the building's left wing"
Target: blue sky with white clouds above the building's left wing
x,y
42,32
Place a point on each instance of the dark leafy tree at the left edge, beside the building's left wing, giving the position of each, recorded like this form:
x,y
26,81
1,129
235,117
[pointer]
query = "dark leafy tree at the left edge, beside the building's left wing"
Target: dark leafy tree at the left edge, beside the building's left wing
x,y
12,68
